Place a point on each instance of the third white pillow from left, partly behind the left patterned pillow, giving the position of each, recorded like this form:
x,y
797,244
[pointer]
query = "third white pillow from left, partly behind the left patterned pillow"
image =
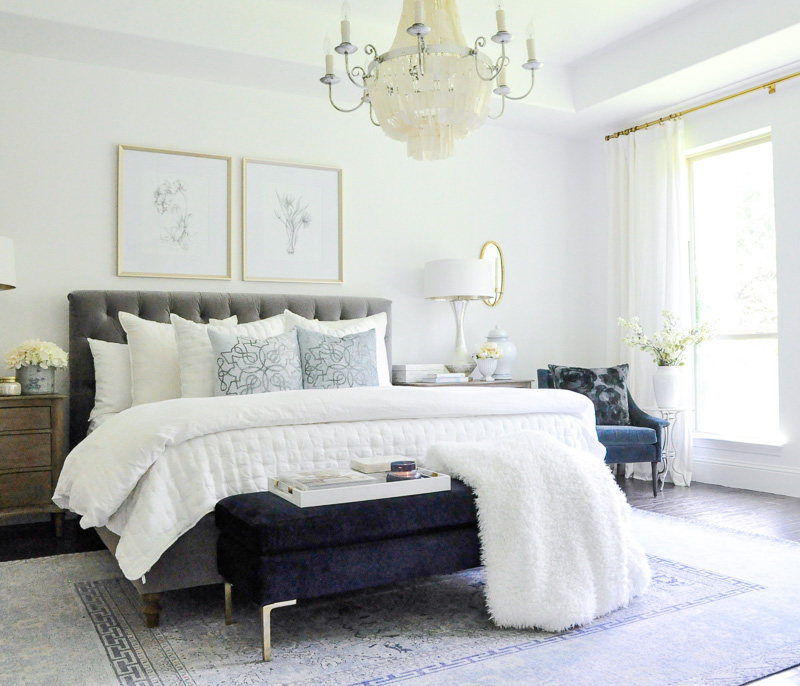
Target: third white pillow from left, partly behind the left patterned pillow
x,y
196,357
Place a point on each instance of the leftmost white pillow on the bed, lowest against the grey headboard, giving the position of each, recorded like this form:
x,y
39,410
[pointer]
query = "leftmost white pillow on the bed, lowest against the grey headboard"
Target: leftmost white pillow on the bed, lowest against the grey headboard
x,y
112,373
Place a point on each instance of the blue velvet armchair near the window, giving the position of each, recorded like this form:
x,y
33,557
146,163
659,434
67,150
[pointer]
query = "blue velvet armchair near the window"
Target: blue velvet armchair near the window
x,y
641,441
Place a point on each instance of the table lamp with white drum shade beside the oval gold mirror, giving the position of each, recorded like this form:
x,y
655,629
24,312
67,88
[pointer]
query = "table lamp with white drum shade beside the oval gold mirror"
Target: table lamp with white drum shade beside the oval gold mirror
x,y
458,282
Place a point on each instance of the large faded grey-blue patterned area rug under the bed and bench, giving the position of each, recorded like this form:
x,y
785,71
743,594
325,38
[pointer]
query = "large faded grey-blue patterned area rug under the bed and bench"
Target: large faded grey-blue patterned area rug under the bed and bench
x,y
724,608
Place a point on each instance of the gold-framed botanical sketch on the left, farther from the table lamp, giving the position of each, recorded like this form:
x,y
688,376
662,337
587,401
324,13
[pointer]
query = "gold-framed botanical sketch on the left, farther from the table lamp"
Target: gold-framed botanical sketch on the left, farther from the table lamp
x,y
173,214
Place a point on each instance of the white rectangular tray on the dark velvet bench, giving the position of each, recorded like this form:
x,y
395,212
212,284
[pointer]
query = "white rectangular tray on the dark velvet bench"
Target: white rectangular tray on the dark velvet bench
x,y
430,483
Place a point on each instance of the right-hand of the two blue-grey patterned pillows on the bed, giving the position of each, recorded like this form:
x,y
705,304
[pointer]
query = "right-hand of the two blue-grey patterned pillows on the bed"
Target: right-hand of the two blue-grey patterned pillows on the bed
x,y
334,362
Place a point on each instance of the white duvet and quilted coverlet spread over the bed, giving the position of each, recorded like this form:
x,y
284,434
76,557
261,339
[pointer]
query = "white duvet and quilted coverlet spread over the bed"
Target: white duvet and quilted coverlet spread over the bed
x,y
152,472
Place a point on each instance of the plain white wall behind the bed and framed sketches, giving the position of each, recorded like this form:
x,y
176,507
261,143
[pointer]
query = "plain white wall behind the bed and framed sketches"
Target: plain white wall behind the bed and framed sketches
x,y
62,122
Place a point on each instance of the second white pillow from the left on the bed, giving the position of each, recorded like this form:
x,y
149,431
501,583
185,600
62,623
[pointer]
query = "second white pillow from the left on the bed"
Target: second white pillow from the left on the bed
x,y
155,372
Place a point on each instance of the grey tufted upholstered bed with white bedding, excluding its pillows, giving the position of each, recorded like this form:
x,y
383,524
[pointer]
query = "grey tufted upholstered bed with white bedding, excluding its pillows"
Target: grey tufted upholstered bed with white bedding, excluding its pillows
x,y
148,479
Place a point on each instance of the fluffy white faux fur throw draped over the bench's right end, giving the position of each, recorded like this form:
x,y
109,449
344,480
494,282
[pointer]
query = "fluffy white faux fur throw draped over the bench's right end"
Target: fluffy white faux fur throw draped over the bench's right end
x,y
555,530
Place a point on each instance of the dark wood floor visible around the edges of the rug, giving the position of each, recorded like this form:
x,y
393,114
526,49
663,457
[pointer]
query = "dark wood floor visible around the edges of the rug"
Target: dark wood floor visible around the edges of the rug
x,y
772,515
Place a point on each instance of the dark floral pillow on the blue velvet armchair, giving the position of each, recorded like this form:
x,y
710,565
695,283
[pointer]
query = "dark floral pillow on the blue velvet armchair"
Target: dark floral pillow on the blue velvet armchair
x,y
606,387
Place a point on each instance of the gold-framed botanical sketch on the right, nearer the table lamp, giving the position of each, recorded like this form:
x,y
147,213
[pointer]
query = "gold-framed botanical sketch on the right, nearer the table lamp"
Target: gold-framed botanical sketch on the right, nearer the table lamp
x,y
291,222
